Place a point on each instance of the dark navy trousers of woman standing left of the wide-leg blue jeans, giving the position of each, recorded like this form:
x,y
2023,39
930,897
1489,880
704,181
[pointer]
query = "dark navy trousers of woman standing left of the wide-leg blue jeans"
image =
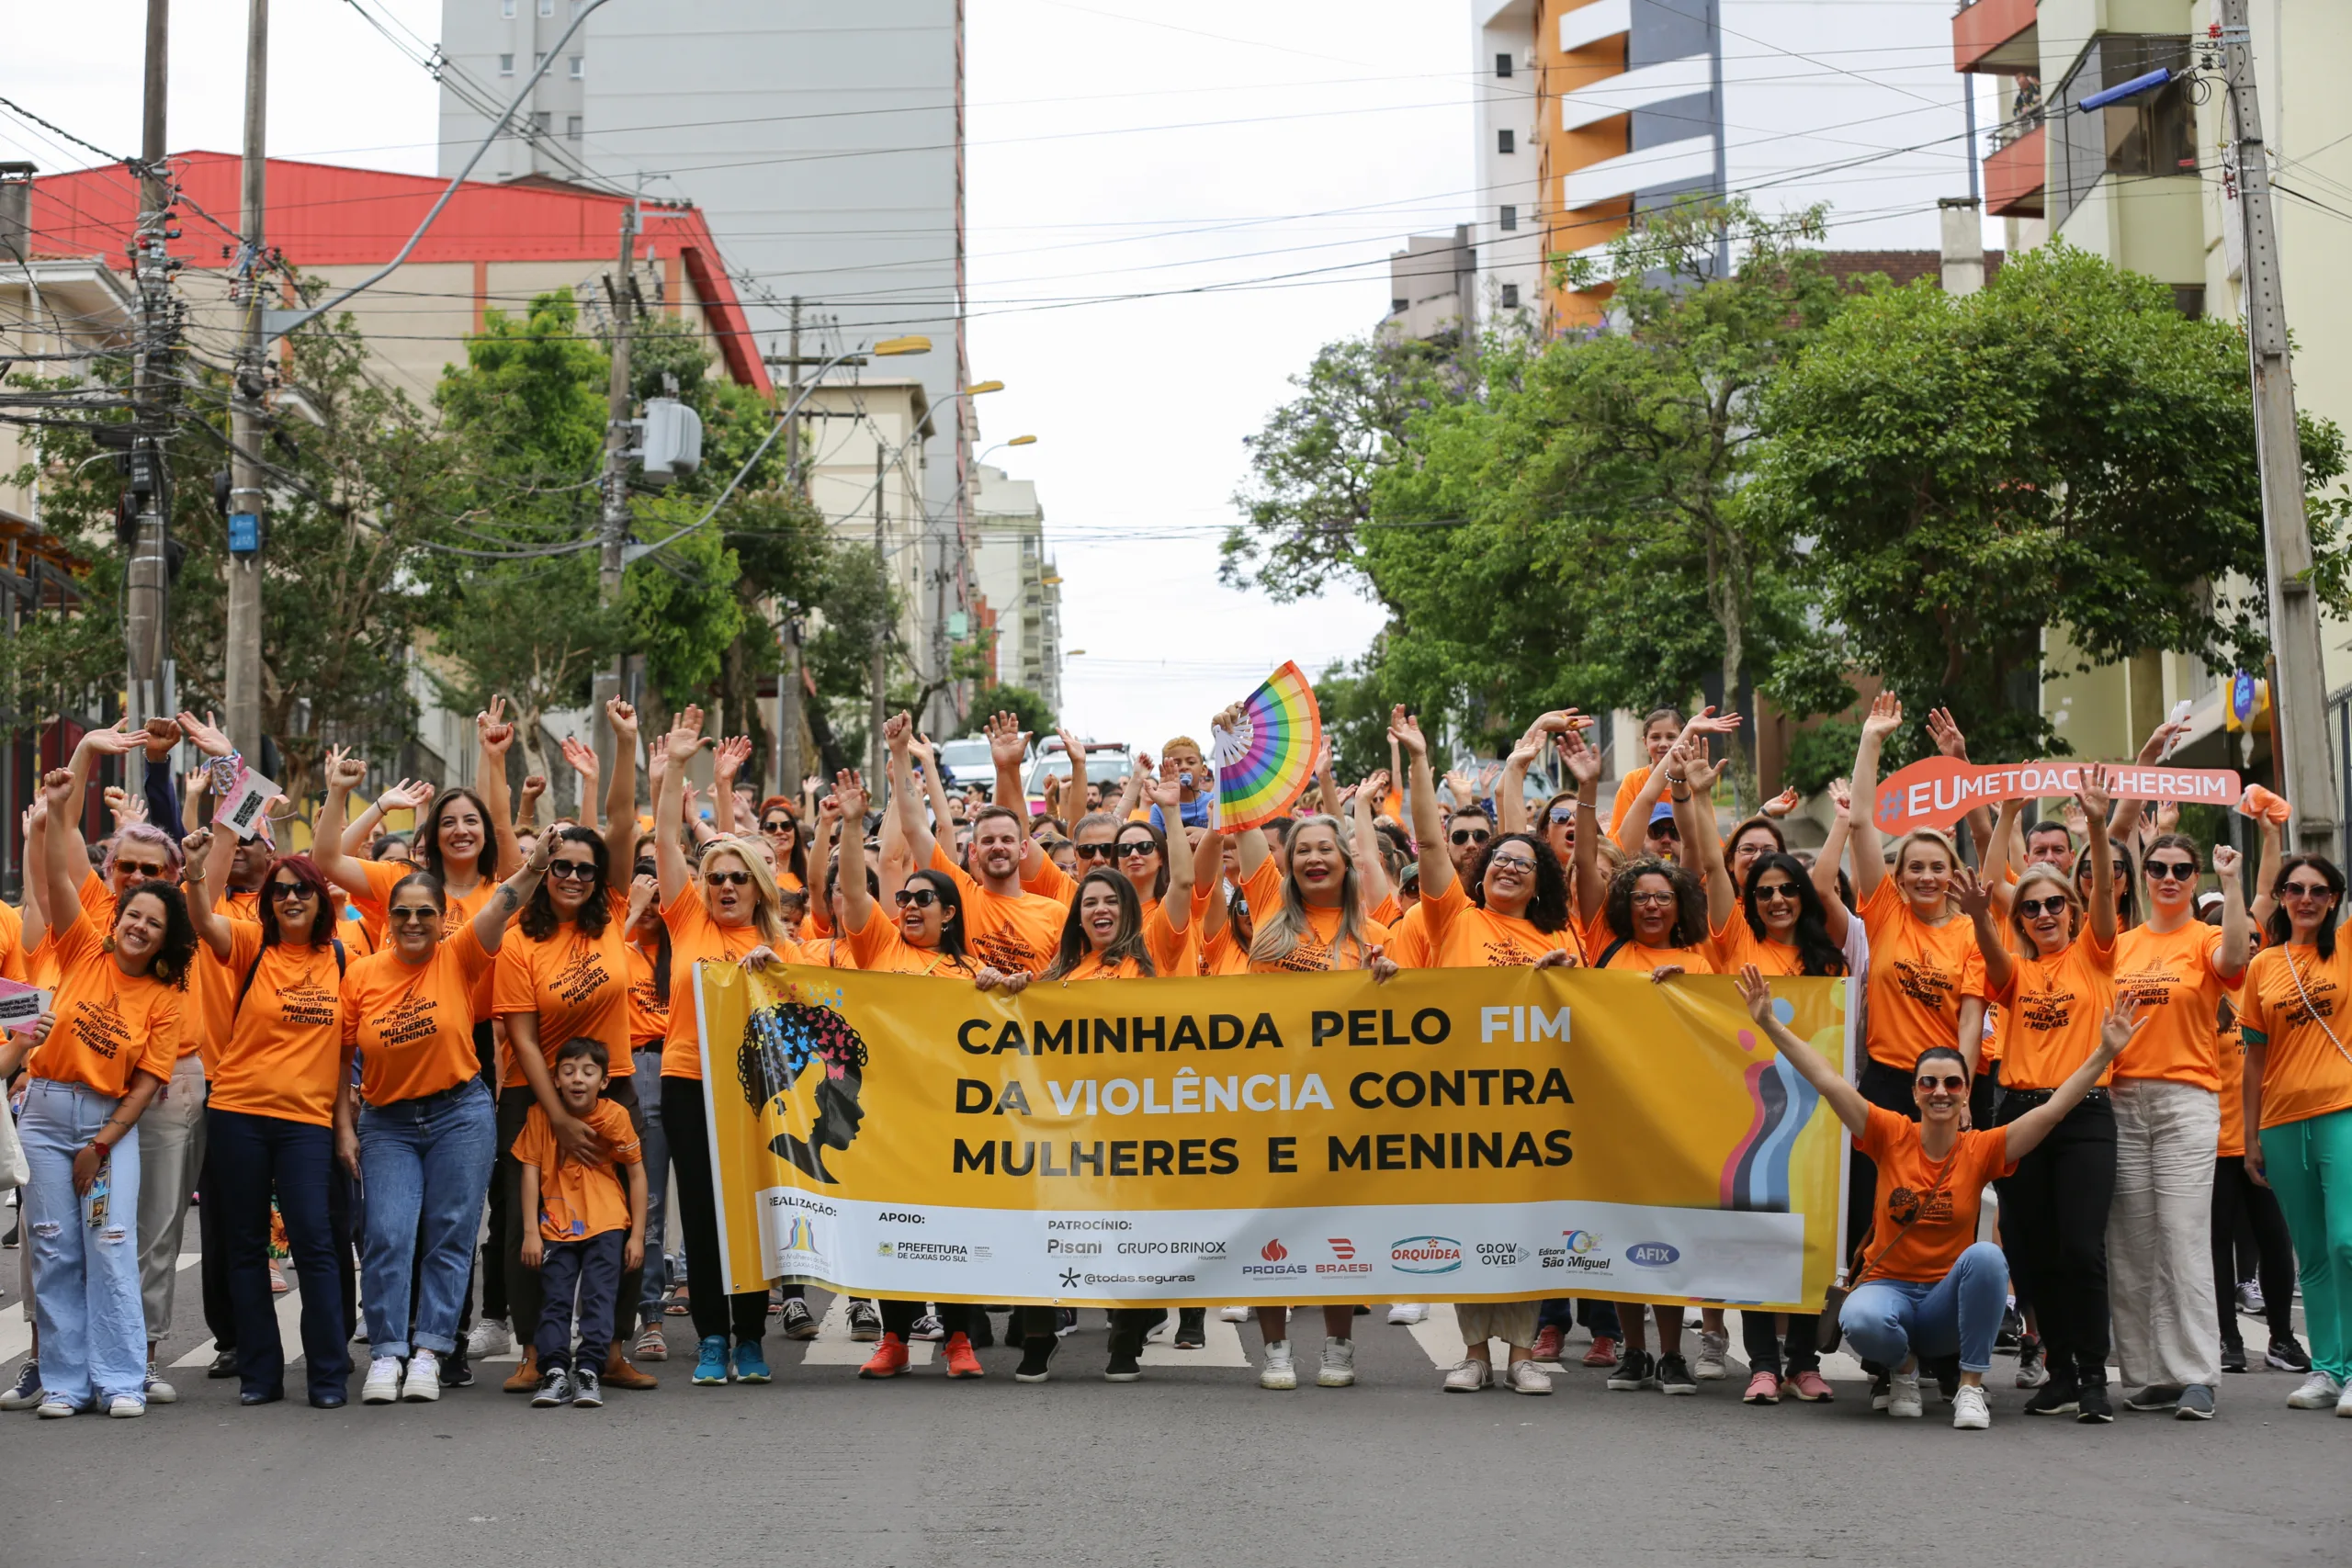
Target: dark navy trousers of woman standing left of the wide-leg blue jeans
x,y
250,1160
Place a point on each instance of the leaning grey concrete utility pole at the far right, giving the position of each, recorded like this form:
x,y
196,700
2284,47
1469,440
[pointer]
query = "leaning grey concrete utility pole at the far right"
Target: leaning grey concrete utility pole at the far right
x,y
2299,697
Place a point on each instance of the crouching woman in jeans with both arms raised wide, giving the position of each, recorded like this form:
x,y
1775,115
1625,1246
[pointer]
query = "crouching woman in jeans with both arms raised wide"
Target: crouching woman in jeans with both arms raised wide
x,y
1927,1287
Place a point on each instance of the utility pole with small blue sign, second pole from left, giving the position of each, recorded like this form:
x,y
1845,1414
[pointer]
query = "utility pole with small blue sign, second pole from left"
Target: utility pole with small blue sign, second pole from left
x,y
246,490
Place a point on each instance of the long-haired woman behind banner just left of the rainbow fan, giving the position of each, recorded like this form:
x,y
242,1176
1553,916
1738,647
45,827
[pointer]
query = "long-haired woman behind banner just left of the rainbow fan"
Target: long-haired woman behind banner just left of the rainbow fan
x,y
1109,937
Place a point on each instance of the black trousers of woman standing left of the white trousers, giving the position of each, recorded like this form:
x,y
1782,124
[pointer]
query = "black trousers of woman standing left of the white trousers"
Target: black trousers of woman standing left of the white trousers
x,y
2054,1224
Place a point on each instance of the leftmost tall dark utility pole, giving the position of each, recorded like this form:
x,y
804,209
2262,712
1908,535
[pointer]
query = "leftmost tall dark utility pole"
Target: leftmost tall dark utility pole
x,y
147,601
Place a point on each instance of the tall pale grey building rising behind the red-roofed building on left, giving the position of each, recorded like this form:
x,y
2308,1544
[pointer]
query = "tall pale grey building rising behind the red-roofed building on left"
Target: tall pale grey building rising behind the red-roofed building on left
x,y
822,142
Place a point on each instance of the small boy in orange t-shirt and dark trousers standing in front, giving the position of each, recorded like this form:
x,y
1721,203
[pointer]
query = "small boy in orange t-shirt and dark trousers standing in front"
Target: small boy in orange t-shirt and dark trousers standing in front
x,y
592,1224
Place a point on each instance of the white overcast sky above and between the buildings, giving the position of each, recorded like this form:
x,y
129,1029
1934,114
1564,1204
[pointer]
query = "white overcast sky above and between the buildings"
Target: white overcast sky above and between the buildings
x,y
1274,145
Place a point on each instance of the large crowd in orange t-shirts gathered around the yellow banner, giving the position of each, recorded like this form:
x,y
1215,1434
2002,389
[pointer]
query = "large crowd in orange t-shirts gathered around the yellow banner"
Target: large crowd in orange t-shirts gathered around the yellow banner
x,y
457,1071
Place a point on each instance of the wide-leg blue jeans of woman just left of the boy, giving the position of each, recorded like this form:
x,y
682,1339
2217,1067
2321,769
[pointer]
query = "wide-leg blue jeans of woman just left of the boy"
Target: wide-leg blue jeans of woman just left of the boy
x,y
427,1170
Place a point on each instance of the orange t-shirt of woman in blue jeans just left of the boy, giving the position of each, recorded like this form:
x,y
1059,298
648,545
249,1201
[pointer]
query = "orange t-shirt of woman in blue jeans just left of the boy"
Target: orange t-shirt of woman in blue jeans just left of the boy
x,y
413,1024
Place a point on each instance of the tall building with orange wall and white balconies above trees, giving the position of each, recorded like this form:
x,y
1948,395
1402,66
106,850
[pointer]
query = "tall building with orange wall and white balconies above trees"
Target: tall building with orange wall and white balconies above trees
x,y
1591,112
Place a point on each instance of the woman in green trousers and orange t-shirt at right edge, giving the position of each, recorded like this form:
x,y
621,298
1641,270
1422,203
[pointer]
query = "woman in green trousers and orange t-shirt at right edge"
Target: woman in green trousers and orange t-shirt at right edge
x,y
2299,1097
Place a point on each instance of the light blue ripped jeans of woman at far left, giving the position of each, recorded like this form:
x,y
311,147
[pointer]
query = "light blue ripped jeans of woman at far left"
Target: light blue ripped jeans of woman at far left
x,y
86,1278
